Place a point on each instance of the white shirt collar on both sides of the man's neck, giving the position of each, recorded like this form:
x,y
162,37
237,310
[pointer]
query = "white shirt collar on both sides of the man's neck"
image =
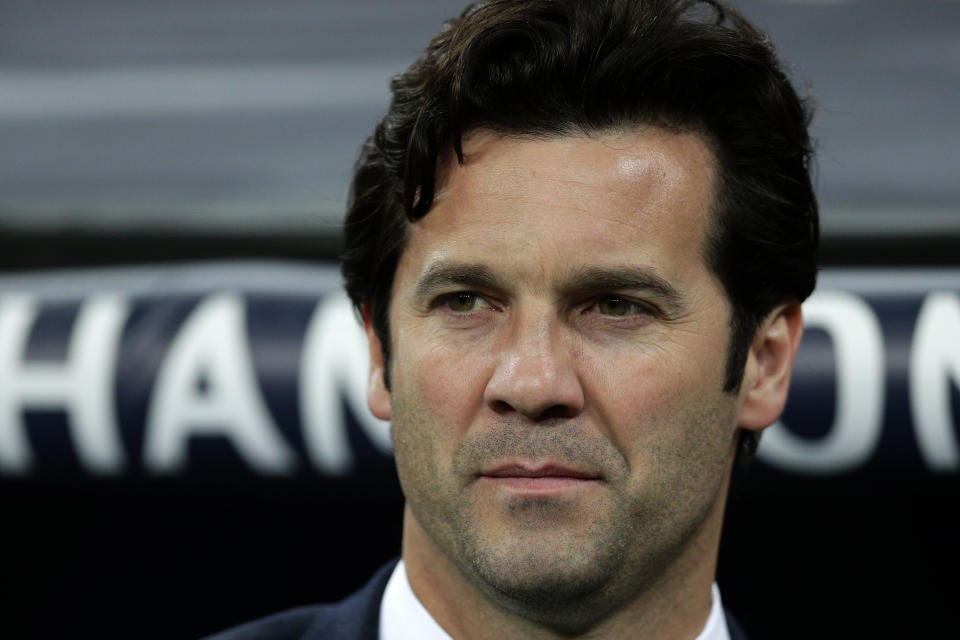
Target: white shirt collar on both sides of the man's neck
x,y
402,617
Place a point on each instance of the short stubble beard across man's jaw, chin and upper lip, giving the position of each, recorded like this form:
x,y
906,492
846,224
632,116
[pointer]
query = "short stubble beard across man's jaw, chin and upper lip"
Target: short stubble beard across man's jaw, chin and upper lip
x,y
565,577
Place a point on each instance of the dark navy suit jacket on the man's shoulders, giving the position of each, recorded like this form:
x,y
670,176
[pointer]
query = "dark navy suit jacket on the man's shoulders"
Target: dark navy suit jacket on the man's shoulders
x,y
356,618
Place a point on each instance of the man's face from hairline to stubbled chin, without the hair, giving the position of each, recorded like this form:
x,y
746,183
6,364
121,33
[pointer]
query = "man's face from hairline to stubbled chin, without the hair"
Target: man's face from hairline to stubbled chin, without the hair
x,y
561,433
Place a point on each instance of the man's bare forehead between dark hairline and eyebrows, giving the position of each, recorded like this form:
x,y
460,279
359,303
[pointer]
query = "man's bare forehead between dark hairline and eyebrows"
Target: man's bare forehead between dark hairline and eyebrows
x,y
640,196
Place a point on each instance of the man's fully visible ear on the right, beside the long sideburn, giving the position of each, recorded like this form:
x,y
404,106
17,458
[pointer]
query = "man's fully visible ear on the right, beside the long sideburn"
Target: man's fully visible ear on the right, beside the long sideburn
x,y
766,377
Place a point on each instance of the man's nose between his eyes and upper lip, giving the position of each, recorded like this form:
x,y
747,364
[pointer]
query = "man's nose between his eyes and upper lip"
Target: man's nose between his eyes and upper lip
x,y
536,374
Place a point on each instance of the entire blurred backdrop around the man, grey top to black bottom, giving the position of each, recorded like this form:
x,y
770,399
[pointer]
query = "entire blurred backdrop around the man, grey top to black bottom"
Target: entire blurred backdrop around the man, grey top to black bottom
x,y
184,442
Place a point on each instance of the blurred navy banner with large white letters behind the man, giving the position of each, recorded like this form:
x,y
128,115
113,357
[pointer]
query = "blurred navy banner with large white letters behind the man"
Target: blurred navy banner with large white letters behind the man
x,y
262,367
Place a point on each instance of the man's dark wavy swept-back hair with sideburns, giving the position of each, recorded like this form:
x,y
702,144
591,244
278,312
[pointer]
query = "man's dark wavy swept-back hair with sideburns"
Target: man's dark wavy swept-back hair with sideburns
x,y
569,67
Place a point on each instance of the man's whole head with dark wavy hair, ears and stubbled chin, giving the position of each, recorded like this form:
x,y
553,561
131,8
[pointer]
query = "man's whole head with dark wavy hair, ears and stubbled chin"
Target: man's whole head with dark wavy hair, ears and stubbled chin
x,y
579,239
